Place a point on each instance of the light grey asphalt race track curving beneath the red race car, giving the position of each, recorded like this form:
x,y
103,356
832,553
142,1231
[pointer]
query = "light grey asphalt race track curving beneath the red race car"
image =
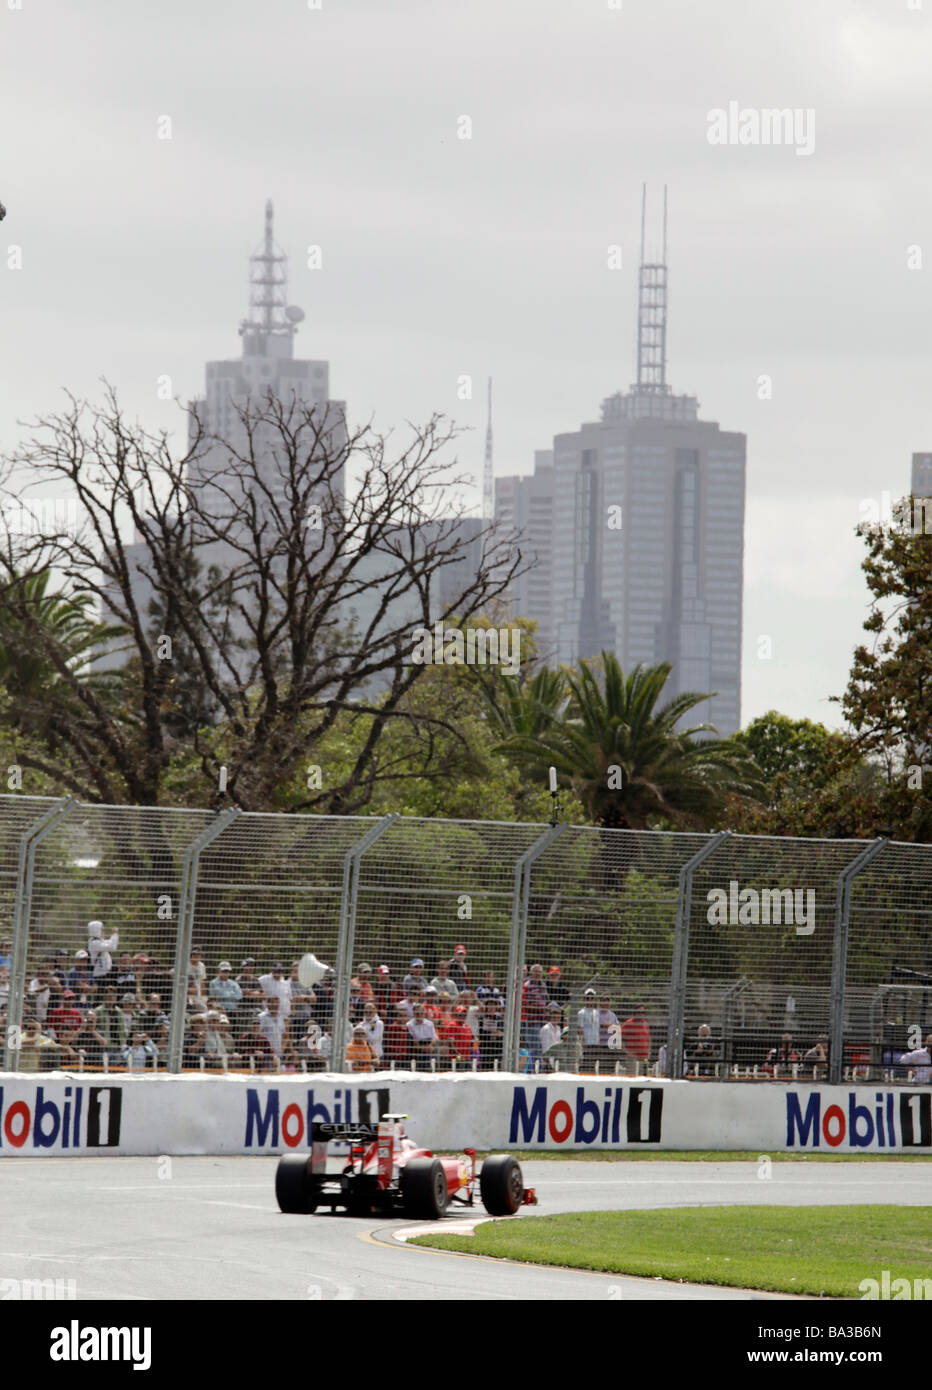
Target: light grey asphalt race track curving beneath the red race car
x,y
203,1228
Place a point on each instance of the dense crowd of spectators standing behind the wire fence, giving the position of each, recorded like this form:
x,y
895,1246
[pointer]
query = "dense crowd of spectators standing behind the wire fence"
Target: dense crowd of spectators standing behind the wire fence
x,y
99,1008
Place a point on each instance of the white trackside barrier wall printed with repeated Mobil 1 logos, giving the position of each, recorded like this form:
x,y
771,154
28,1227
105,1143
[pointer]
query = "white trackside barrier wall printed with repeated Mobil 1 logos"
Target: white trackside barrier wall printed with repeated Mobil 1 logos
x,y
59,1114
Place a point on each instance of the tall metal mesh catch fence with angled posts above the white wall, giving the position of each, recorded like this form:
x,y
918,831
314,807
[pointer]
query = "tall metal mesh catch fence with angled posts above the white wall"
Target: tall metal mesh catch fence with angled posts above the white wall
x,y
163,939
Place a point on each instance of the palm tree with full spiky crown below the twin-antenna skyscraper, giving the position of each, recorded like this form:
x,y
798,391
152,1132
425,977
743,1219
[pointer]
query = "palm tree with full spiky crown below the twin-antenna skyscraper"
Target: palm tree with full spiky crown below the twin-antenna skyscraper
x,y
627,762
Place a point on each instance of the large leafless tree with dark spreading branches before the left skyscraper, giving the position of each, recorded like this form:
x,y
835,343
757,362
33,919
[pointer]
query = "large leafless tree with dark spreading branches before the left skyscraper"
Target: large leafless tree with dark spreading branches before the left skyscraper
x,y
251,555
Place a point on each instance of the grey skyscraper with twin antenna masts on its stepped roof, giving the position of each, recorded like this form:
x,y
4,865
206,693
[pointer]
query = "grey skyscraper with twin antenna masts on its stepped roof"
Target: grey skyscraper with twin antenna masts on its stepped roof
x,y
648,547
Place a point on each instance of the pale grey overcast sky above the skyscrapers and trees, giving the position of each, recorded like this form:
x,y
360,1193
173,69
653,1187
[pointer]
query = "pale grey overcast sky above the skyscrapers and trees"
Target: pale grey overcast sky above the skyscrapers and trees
x,y
488,256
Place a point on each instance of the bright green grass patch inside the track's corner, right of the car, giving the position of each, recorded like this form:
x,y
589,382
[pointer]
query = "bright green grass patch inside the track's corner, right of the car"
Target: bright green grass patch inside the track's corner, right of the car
x,y
802,1250
